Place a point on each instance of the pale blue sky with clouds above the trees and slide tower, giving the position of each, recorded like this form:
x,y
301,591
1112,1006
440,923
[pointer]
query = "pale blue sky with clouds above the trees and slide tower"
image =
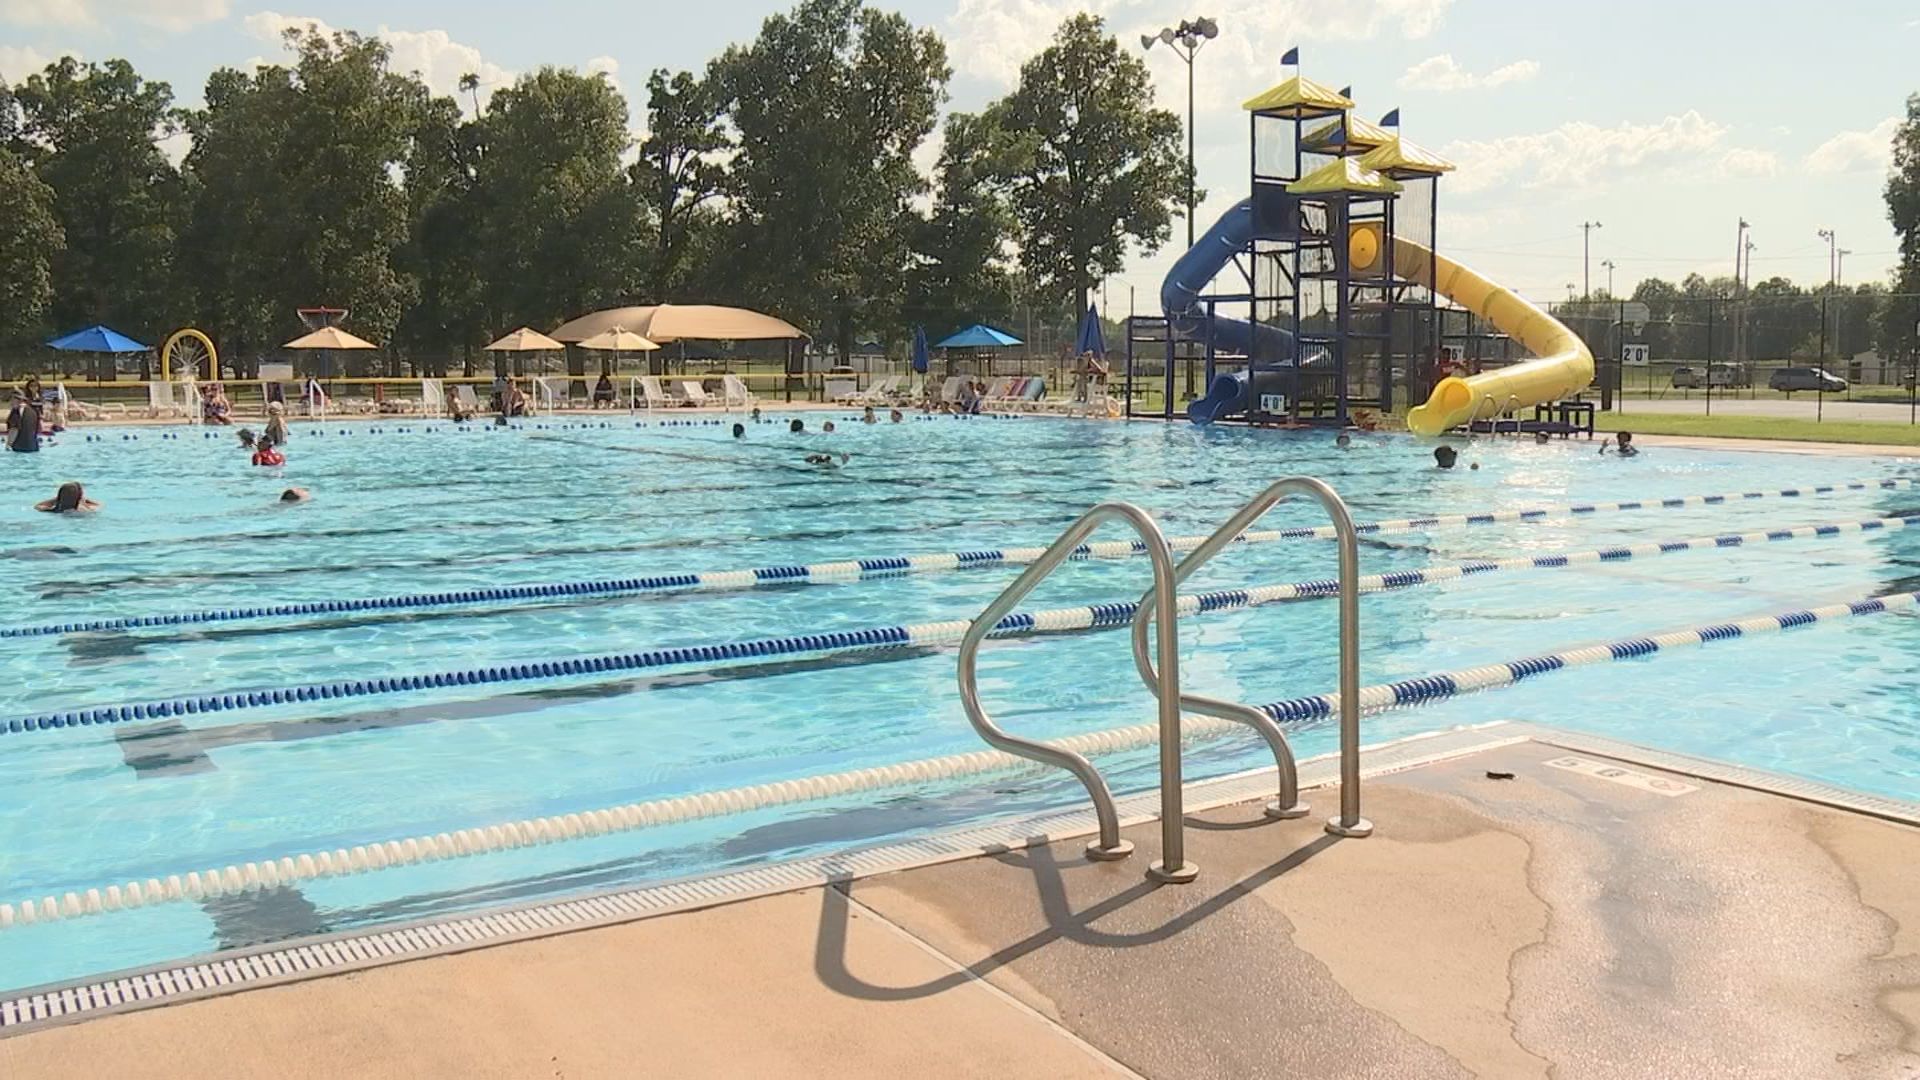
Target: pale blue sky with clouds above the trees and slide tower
x,y
1662,122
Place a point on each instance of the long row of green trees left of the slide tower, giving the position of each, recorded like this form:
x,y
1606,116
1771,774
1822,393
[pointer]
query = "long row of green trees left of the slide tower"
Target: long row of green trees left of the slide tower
x,y
780,178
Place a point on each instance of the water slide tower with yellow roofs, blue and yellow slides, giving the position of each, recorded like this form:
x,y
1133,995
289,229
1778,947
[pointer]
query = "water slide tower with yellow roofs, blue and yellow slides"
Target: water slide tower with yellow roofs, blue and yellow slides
x,y
1322,293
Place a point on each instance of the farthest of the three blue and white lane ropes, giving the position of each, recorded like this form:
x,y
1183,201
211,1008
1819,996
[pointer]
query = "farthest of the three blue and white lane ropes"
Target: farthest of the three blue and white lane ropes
x,y
886,566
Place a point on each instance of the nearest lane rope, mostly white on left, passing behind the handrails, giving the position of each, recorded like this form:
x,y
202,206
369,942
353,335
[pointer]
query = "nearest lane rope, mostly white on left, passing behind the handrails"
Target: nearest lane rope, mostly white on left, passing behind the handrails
x,y
629,818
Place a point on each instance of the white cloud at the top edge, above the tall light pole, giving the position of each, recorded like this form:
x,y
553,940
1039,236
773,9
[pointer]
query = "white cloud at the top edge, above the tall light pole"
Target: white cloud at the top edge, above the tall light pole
x,y
992,39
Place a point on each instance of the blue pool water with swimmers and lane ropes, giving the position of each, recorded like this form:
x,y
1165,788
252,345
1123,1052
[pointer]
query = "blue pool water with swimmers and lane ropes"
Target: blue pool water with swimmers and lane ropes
x,y
189,526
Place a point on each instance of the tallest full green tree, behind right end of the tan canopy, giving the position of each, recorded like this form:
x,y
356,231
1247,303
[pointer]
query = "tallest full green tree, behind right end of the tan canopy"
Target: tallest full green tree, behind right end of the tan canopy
x,y
828,103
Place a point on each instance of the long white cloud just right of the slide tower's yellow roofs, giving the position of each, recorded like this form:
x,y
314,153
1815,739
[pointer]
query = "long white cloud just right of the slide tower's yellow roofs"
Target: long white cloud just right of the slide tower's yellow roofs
x,y
1585,157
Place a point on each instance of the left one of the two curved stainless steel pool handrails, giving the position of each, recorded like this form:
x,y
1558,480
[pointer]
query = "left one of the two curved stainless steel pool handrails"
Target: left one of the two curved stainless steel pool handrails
x,y
1109,845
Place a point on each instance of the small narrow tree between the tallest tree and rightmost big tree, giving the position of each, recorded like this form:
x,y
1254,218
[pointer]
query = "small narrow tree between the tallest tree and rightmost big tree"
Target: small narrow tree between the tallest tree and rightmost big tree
x,y
959,272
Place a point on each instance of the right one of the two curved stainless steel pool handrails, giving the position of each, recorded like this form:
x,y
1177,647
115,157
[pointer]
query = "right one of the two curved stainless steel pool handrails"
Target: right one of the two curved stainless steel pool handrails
x,y
1349,823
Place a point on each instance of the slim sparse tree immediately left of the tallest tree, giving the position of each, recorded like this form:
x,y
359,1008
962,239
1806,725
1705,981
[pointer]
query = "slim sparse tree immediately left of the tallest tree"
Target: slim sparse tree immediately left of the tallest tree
x,y
679,170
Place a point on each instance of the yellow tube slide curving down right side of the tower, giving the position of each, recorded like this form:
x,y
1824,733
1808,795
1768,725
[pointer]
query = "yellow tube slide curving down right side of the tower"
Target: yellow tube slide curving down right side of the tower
x,y
1562,362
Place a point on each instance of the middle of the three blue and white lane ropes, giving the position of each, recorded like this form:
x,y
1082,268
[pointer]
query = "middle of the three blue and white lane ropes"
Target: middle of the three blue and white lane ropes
x,y
911,635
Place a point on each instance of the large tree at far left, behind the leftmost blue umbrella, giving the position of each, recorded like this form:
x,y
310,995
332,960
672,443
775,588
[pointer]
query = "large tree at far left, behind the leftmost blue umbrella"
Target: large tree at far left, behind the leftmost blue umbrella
x,y
91,134
